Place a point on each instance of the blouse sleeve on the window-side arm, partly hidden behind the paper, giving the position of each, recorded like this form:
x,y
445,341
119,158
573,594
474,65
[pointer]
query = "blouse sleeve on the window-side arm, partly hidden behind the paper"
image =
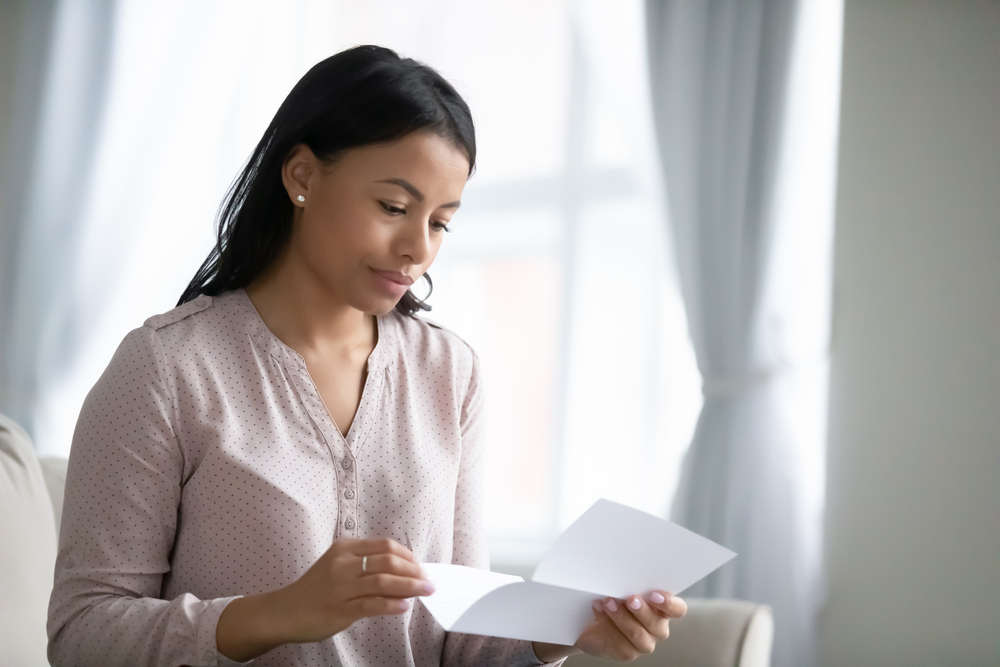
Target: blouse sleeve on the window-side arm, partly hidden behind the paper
x,y
470,547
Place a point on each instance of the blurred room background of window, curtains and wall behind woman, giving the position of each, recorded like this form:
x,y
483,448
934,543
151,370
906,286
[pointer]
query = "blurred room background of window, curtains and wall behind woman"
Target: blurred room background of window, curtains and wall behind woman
x,y
735,263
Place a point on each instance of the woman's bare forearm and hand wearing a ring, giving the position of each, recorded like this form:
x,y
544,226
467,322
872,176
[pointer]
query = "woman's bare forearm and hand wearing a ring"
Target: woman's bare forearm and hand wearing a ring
x,y
331,595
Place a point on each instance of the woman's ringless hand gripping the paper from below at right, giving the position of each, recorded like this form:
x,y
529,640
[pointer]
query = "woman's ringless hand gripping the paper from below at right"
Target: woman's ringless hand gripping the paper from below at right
x,y
622,629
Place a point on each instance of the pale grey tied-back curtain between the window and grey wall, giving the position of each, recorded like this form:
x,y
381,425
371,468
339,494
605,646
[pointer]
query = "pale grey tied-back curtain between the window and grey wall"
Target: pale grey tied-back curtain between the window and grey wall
x,y
745,97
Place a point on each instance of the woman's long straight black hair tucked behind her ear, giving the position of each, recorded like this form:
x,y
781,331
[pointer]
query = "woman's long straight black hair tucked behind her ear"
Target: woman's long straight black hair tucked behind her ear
x,y
361,96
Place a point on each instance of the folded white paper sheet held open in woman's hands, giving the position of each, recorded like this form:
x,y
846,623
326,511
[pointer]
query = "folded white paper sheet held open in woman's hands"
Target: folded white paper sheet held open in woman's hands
x,y
610,551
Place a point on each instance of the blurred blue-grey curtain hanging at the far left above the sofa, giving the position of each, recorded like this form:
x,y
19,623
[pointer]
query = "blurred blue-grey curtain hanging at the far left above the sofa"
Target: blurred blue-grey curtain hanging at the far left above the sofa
x,y
62,67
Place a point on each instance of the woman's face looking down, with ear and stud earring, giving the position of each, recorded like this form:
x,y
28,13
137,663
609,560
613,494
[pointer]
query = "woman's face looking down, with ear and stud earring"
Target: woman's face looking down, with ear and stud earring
x,y
372,221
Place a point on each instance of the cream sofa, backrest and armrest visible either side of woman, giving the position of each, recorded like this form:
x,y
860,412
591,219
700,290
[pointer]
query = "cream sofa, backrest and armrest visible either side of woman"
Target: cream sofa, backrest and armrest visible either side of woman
x,y
715,633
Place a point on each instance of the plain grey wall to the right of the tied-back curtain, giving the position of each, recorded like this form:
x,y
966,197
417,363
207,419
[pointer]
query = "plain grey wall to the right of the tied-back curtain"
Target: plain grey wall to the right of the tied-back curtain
x,y
913,517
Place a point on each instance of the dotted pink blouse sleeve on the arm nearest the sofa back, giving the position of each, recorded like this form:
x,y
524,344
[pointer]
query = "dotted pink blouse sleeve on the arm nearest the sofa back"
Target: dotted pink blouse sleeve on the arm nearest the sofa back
x,y
123,489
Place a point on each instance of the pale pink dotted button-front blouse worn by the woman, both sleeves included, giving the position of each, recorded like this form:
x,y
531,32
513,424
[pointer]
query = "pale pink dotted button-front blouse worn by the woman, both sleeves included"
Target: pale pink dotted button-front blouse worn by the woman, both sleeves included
x,y
205,466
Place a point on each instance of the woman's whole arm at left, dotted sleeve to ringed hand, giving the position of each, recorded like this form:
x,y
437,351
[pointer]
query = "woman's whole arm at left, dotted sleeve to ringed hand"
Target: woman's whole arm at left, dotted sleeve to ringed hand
x,y
123,491
